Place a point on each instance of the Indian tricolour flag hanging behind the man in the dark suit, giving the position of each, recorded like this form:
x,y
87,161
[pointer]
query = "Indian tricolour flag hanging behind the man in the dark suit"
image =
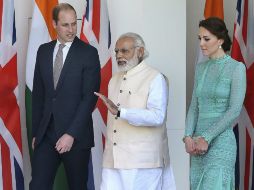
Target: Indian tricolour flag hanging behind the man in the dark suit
x,y
42,31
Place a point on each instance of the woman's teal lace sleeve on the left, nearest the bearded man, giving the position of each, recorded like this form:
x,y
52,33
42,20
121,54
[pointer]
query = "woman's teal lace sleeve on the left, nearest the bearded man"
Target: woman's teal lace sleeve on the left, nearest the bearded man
x,y
192,115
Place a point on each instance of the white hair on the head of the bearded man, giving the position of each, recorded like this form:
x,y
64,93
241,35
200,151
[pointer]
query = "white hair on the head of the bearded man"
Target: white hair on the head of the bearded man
x,y
138,42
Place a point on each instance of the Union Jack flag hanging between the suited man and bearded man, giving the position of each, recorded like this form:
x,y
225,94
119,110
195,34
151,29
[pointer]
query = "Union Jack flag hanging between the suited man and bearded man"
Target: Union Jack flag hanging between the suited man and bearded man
x,y
96,31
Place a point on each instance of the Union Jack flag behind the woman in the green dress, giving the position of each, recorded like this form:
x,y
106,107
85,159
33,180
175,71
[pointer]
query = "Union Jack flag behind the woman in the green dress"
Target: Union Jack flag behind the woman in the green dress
x,y
243,50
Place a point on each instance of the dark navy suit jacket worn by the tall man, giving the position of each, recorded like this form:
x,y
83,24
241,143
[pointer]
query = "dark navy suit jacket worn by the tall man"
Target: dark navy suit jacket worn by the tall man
x,y
72,102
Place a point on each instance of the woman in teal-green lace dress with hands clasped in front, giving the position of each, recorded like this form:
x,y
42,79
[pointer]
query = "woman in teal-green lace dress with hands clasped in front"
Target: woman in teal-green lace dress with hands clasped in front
x,y
217,99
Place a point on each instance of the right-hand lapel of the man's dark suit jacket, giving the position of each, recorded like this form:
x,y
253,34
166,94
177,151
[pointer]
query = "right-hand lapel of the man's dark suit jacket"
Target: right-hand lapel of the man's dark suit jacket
x,y
67,62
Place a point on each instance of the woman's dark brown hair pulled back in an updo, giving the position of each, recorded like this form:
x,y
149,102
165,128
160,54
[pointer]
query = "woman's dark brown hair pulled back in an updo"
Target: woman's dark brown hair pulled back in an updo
x,y
218,28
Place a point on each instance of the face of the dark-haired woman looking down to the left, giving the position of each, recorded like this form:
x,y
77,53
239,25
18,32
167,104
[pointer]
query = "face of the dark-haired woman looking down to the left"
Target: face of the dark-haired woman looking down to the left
x,y
209,43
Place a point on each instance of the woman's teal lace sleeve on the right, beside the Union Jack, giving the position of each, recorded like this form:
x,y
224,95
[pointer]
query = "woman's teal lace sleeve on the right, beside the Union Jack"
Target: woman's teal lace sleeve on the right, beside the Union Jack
x,y
237,94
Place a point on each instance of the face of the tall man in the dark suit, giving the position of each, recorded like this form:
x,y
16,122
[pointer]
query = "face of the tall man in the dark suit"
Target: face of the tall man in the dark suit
x,y
66,26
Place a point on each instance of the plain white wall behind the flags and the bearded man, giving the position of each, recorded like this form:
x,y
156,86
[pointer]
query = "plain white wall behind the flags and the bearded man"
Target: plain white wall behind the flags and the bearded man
x,y
162,24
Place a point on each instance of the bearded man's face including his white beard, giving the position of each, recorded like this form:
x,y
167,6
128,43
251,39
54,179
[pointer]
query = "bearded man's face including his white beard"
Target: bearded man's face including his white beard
x,y
126,54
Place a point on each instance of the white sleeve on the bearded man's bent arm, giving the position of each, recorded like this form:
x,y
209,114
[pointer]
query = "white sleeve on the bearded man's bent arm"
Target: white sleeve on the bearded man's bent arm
x,y
155,112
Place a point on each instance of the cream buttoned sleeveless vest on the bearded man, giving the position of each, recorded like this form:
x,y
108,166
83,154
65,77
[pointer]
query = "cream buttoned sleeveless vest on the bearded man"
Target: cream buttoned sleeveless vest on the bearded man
x,y
128,146
